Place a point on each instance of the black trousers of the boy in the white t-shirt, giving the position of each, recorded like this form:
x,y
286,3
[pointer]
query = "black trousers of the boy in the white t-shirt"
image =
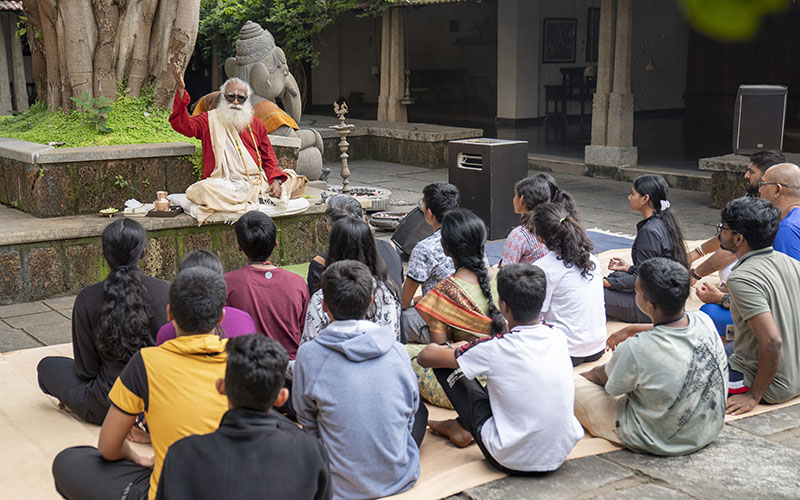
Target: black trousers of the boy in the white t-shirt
x,y
471,401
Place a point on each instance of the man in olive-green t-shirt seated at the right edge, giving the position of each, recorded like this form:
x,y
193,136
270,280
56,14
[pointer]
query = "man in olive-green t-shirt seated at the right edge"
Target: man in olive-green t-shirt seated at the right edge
x,y
765,290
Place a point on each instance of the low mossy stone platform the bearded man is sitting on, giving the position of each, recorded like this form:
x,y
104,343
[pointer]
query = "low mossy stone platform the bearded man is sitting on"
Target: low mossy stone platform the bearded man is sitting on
x,y
43,258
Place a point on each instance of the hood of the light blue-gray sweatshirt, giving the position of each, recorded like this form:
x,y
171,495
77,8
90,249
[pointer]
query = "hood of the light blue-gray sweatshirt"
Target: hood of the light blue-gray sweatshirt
x,y
358,340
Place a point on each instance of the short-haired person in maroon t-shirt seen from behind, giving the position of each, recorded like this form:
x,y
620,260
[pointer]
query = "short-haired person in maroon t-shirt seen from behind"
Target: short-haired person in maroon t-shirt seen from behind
x,y
276,298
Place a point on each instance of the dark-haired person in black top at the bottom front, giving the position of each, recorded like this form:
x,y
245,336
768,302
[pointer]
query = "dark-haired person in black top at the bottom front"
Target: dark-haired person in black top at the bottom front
x,y
264,454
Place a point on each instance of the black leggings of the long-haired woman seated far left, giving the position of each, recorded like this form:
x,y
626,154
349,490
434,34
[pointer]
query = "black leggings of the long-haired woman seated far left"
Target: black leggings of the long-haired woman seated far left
x,y
57,378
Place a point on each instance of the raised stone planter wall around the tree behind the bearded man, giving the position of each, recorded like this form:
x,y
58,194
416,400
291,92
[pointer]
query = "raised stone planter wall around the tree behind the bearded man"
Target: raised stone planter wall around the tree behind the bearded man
x,y
50,182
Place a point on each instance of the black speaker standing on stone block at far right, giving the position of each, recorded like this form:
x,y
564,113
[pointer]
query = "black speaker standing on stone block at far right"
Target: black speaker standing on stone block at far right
x,y
759,118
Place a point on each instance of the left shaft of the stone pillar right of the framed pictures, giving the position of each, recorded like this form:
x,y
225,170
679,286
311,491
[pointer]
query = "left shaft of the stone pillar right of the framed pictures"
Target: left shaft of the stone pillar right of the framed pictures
x,y
605,64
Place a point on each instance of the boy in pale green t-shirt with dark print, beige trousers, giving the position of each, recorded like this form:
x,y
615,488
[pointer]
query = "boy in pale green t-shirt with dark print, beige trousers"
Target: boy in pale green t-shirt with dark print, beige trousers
x,y
664,389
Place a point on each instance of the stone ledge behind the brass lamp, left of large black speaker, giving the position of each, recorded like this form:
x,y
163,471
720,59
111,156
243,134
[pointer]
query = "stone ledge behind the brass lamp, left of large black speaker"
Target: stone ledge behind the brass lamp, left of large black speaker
x,y
417,144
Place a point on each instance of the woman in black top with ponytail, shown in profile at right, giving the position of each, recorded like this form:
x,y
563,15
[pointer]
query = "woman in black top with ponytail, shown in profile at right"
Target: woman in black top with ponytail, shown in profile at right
x,y
658,235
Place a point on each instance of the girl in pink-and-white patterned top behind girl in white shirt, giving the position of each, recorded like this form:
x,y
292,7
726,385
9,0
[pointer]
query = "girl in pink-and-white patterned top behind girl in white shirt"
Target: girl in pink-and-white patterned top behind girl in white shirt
x,y
521,244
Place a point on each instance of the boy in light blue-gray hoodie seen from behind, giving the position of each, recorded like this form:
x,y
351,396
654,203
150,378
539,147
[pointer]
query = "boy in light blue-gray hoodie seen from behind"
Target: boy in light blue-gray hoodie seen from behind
x,y
354,387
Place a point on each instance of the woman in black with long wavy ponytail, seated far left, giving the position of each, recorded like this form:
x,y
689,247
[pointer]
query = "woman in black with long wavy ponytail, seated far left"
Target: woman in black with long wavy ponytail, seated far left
x,y
111,321
